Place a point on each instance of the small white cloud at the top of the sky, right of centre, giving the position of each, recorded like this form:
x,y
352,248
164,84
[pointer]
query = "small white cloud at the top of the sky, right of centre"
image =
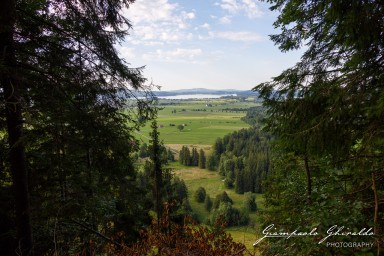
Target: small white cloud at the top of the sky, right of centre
x,y
249,7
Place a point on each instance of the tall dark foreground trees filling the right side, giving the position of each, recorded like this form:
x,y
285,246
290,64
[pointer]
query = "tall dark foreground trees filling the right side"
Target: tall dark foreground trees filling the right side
x,y
326,114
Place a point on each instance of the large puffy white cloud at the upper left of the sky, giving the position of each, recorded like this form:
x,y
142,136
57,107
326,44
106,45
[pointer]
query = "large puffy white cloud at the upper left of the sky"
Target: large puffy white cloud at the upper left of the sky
x,y
158,21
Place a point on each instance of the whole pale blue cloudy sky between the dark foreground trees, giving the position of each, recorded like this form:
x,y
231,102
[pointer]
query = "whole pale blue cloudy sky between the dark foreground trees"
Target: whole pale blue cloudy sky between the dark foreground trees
x,y
213,44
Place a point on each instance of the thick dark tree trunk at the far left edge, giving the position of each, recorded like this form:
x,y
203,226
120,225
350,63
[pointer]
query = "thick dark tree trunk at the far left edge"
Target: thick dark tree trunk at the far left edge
x,y
11,90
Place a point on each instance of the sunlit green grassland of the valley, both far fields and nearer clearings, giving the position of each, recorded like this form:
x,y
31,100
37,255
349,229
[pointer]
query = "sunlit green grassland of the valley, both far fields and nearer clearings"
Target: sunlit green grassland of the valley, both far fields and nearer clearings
x,y
204,121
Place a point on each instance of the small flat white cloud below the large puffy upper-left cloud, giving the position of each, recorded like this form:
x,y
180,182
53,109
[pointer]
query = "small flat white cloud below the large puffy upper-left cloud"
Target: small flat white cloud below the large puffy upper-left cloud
x,y
176,55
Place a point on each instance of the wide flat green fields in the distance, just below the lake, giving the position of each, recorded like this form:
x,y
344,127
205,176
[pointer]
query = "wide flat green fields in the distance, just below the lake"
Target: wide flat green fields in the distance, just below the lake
x,y
204,120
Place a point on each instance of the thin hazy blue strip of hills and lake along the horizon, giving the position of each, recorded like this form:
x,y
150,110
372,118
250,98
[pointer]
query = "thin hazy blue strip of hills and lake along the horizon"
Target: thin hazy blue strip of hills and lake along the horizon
x,y
204,91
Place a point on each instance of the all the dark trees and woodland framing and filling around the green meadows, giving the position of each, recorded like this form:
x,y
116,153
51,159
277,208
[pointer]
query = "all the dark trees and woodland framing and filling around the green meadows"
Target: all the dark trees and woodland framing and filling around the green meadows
x,y
74,180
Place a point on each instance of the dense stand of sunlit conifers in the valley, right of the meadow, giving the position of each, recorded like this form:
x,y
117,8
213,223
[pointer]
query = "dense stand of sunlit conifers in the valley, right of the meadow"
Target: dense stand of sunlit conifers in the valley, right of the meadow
x,y
244,159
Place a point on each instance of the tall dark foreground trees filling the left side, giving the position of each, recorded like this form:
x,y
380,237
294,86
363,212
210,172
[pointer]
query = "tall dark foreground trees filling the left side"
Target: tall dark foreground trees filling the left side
x,y
67,178
